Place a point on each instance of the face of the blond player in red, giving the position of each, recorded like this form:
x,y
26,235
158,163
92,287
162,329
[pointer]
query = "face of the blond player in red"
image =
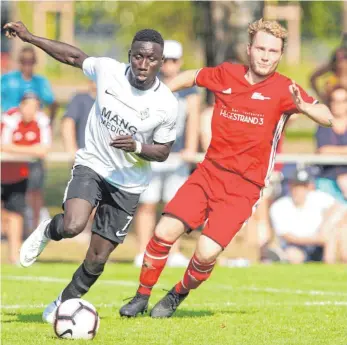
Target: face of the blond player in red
x,y
264,54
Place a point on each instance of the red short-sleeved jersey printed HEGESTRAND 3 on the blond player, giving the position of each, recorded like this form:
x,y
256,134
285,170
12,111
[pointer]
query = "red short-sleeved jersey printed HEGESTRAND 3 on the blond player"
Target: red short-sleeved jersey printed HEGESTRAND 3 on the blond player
x,y
247,119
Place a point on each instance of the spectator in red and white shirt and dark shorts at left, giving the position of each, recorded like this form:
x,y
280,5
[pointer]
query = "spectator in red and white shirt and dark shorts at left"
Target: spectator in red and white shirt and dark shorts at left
x,y
26,132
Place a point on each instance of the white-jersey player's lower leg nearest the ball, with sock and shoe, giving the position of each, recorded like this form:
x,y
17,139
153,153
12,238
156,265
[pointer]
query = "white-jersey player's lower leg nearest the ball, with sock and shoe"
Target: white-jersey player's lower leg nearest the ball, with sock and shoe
x,y
86,275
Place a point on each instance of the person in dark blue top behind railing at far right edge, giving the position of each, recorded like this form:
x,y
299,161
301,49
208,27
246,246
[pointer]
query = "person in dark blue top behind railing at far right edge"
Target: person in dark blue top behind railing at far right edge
x,y
333,178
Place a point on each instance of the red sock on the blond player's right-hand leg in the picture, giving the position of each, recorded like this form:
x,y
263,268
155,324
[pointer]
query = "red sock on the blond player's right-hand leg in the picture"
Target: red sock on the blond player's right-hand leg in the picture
x,y
195,274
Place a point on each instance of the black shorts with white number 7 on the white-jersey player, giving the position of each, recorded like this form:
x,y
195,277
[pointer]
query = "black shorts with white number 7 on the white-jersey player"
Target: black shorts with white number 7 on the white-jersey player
x,y
115,207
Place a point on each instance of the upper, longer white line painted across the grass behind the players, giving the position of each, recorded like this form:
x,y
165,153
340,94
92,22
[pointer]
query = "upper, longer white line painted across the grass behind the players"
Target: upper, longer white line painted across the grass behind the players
x,y
209,286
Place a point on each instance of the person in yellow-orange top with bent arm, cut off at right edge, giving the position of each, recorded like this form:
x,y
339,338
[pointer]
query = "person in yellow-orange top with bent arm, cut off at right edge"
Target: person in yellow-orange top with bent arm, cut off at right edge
x,y
336,67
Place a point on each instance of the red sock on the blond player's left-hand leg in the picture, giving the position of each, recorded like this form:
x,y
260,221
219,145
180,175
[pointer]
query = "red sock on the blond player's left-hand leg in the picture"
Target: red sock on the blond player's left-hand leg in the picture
x,y
156,254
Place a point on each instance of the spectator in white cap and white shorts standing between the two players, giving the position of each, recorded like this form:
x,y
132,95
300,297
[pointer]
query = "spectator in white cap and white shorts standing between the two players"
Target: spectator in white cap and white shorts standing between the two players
x,y
169,176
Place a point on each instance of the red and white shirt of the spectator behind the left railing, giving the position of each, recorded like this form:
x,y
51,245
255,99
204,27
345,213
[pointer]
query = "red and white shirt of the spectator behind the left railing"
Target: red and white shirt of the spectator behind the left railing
x,y
15,131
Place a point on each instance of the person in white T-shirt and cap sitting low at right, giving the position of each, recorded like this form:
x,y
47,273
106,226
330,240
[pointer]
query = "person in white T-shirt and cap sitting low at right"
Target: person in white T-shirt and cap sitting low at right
x,y
309,223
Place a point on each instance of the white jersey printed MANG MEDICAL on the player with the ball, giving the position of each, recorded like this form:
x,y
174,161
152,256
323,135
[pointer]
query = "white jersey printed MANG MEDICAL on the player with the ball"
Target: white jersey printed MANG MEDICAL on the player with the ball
x,y
121,109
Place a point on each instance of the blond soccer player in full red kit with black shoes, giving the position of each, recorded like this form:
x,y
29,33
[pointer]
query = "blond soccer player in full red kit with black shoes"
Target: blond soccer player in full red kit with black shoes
x,y
252,105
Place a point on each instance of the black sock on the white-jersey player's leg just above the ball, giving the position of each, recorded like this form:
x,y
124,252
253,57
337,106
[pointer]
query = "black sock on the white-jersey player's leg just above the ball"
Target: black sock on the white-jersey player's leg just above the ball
x,y
81,281
